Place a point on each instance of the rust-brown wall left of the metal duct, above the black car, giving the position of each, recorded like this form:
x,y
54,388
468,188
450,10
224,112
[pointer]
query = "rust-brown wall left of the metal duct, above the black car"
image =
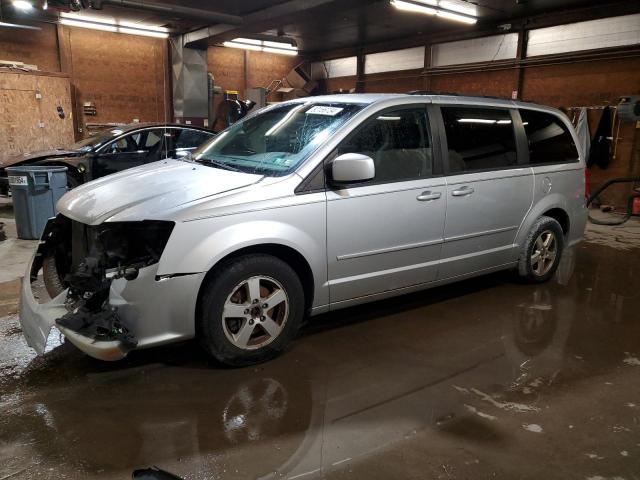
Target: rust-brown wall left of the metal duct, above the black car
x,y
124,75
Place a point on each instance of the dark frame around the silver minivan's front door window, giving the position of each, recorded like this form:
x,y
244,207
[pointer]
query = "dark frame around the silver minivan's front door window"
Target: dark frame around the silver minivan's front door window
x,y
432,132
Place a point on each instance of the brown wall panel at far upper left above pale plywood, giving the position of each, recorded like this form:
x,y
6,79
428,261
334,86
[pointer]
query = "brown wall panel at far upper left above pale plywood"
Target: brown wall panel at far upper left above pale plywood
x,y
34,47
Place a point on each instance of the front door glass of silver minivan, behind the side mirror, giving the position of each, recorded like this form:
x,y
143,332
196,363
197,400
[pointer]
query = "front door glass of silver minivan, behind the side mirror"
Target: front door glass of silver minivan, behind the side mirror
x,y
398,142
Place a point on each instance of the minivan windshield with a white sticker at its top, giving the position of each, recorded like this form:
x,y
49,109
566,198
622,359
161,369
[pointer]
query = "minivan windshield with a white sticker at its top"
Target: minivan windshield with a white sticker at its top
x,y
277,139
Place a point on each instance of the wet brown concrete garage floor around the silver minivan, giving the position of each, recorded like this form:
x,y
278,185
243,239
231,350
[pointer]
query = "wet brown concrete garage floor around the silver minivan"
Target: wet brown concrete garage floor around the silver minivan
x,y
484,379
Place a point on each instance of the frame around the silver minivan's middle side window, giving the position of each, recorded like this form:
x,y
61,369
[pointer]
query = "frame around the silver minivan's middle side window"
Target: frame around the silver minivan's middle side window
x,y
519,137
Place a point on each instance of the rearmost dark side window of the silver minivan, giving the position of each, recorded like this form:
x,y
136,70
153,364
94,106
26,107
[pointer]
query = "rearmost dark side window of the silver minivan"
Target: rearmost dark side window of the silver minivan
x,y
548,137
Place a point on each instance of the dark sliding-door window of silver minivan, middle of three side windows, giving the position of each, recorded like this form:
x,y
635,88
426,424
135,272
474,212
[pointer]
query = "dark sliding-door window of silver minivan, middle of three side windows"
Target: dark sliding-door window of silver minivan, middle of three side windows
x,y
479,138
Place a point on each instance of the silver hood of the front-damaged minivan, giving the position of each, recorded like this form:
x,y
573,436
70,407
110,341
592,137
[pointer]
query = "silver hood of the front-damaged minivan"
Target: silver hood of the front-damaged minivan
x,y
141,193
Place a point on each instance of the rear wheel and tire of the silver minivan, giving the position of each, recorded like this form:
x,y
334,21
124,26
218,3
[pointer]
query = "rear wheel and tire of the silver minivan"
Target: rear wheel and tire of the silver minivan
x,y
542,251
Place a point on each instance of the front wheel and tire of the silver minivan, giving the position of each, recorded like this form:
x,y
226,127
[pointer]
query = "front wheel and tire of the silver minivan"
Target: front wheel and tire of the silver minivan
x,y
250,310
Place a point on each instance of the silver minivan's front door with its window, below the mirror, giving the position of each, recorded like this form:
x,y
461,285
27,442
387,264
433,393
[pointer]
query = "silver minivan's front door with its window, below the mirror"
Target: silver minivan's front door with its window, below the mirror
x,y
386,233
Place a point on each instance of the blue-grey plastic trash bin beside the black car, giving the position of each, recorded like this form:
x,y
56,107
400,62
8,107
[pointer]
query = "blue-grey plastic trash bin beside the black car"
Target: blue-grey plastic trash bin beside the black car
x,y
35,191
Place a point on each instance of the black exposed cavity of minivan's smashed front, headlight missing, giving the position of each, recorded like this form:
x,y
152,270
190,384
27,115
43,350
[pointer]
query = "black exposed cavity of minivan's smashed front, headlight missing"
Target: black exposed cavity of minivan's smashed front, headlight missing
x,y
84,260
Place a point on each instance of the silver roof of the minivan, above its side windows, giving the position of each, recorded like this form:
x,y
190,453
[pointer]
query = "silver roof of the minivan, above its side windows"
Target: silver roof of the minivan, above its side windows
x,y
435,97
